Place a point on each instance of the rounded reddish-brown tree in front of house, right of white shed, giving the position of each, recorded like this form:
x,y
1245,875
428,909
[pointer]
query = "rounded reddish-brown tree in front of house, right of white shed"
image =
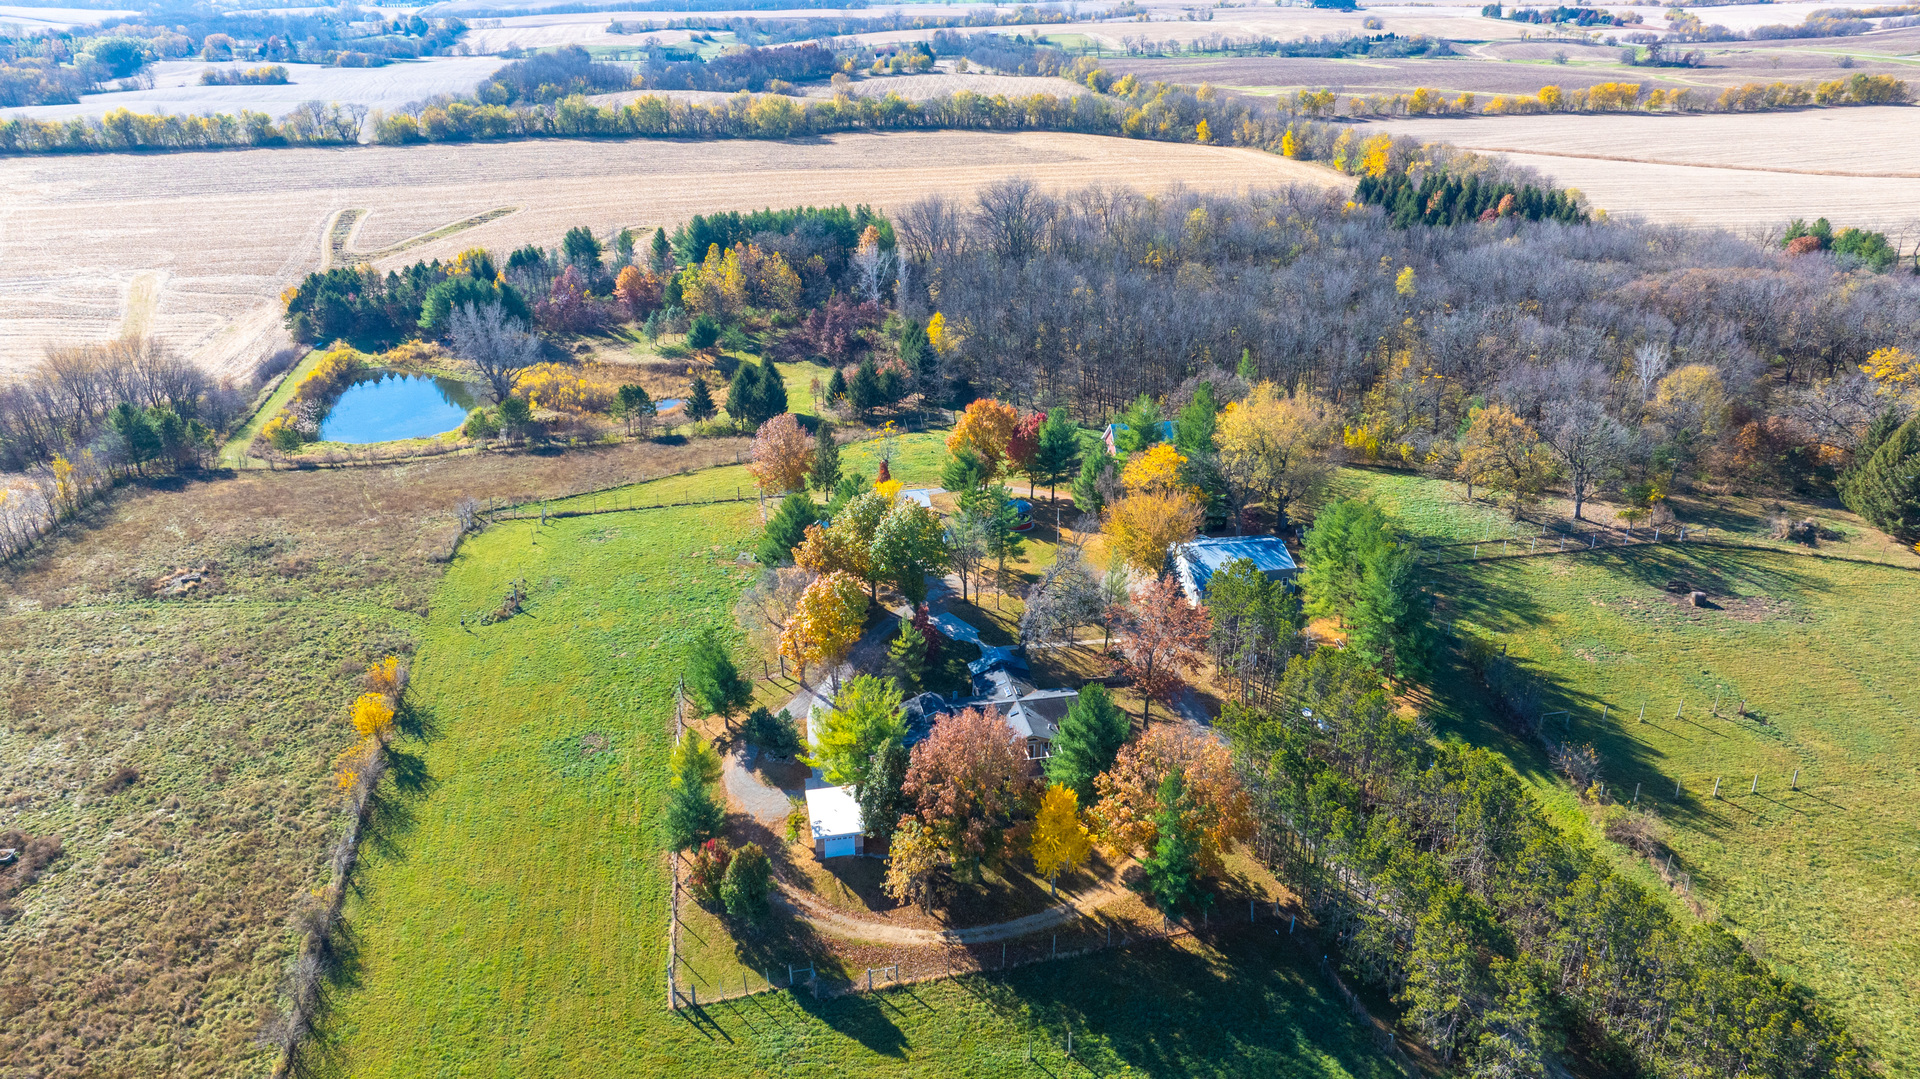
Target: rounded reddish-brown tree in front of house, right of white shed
x,y
967,782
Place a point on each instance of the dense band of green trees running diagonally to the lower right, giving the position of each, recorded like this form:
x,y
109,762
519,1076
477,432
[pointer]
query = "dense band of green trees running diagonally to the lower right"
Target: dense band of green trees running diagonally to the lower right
x,y
1506,940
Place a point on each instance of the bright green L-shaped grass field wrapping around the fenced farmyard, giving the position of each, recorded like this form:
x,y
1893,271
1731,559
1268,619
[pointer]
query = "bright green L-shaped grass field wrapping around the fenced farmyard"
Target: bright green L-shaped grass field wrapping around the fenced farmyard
x,y
514,921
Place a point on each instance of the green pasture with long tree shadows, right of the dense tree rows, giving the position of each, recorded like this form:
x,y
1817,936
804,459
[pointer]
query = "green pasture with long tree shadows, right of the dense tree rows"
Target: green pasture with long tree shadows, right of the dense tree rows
x,y
1821,880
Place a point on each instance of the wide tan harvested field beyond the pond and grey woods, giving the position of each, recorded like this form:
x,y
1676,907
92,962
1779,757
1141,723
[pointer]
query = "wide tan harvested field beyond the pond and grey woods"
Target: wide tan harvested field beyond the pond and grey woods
x,y
220,235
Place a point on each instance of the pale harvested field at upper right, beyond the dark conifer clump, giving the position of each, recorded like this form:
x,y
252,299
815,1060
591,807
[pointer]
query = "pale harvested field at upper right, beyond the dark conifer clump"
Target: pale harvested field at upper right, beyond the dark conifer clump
x,y
1854,166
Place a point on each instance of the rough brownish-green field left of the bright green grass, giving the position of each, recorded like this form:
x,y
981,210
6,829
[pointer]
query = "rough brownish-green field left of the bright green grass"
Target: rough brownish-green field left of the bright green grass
x,y
181,748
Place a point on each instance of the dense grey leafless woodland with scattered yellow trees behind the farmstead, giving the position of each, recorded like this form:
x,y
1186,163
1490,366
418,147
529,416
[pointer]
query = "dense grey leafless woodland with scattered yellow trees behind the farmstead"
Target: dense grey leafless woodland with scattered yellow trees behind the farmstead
x,y
1604,356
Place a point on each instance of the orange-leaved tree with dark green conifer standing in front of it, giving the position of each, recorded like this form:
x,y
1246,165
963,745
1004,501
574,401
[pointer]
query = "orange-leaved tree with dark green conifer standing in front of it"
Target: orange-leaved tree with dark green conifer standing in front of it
x,y
1216,807
